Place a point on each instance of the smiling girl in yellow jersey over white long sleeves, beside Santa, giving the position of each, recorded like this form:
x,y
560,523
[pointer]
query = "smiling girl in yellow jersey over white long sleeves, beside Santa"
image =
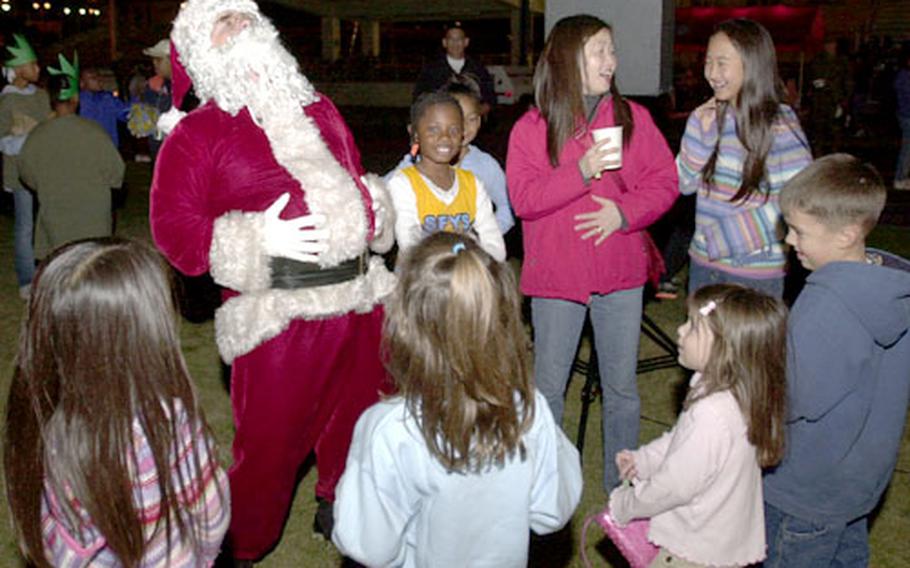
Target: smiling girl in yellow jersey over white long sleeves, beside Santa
x,y
432,196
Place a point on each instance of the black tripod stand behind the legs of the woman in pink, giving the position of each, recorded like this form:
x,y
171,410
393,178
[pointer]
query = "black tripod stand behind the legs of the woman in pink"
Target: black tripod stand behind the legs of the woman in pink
x,y
591,388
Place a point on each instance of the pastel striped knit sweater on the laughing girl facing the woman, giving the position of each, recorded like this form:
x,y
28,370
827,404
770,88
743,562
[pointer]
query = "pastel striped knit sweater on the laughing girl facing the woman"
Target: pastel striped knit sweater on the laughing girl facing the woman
x,y
742,238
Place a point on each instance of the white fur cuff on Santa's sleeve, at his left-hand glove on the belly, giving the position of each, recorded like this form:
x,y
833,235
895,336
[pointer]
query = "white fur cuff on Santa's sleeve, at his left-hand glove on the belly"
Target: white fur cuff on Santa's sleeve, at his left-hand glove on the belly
x,y
237,258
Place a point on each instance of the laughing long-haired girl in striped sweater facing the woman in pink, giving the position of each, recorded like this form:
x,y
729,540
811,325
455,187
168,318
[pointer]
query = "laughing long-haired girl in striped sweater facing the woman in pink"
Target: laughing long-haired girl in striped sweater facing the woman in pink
x,y
738,150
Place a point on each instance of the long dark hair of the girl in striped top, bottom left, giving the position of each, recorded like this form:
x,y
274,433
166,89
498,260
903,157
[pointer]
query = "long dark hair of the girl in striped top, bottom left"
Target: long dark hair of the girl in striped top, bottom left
x,y
99,350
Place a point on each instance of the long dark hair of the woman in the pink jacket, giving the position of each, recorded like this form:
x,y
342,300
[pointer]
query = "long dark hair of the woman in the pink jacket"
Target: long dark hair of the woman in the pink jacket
x,y
558,83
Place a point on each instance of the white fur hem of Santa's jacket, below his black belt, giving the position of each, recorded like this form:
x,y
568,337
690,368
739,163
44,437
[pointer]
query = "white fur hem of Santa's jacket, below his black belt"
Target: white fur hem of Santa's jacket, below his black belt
x,y
246,321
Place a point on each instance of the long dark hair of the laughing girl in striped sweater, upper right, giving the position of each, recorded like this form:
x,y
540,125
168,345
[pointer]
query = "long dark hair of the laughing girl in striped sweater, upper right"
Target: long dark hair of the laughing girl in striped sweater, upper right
x,y
757,104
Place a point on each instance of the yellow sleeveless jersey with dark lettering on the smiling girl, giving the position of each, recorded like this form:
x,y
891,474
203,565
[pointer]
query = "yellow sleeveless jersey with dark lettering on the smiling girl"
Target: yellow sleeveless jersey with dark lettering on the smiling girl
x,y
434,215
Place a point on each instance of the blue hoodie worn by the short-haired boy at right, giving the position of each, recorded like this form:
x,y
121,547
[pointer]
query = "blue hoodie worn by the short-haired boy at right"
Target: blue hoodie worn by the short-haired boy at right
x,y
848,379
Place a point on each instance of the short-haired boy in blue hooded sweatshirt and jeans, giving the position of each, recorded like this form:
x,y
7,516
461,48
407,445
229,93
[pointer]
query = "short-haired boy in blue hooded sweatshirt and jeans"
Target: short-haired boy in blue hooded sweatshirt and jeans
x,y
848,370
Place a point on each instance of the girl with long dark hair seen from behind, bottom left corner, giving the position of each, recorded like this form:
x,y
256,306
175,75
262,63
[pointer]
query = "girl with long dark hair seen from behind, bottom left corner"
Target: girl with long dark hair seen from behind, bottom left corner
x,y
108,458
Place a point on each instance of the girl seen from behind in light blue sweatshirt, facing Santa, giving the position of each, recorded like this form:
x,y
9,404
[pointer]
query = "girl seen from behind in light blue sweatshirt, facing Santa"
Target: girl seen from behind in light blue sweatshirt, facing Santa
x,y
455,469
